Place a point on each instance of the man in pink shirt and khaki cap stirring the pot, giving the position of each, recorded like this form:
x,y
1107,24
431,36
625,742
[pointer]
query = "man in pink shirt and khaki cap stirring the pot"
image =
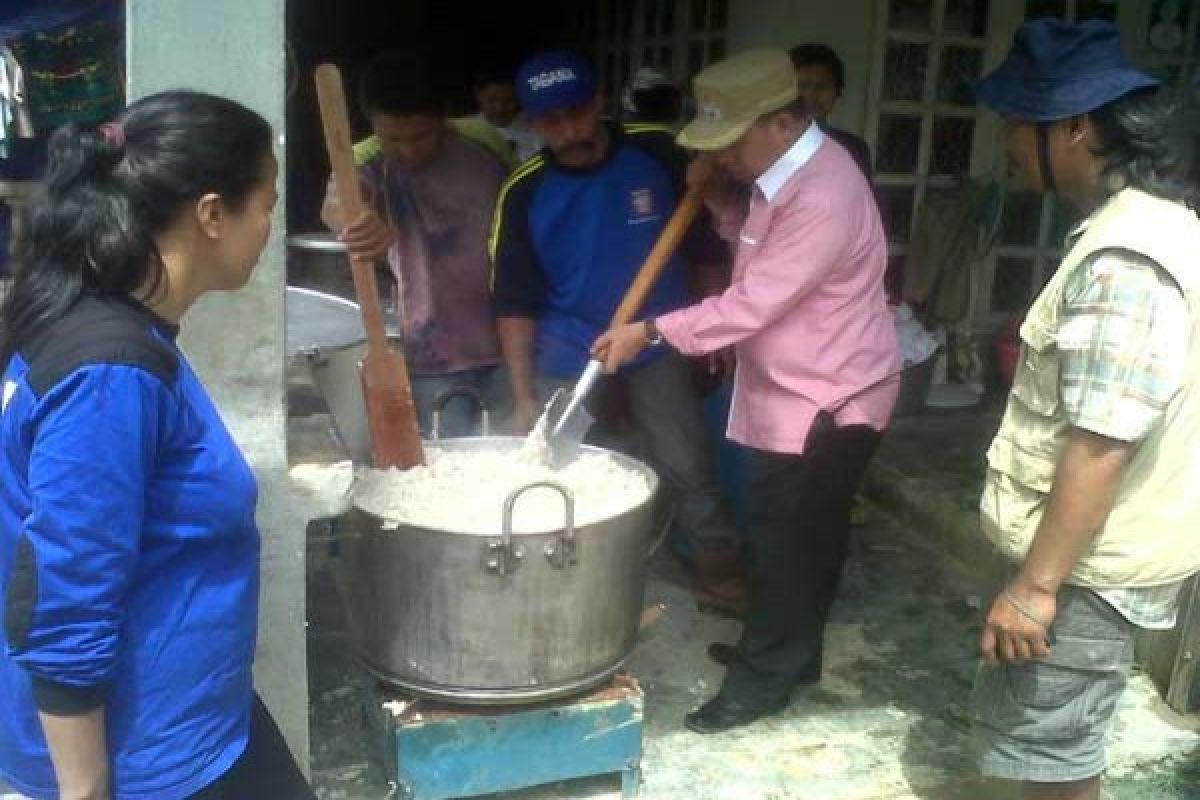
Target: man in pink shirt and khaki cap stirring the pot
x,y
818,365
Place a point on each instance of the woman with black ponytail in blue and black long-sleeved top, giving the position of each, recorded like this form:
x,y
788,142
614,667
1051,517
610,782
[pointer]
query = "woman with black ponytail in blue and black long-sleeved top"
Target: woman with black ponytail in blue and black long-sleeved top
x,y
129,552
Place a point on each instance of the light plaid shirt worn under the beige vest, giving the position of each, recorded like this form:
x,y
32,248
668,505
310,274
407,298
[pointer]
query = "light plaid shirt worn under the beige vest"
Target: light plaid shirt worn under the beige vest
x,y
1124,345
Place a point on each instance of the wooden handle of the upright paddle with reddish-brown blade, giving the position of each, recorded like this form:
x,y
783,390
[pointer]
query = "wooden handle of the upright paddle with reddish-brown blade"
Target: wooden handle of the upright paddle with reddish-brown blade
x,y
332,98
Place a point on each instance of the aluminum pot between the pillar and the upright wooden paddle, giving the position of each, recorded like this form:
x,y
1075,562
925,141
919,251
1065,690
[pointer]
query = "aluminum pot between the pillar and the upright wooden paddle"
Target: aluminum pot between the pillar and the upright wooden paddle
x,y
327,332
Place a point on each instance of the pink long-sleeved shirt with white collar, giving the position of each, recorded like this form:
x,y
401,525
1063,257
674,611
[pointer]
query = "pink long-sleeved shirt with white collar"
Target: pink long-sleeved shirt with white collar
x,y
807,310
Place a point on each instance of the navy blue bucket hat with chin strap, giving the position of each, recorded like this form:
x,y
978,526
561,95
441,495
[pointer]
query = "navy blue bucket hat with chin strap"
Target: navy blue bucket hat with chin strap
x,y
1059,70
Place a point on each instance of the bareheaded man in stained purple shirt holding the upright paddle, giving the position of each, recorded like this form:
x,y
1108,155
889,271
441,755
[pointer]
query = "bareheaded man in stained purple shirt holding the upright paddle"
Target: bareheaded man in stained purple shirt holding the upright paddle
x,y
431,194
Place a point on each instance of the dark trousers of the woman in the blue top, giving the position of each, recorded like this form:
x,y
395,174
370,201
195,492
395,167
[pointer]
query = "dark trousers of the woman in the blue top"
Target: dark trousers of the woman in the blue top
x,y
266,771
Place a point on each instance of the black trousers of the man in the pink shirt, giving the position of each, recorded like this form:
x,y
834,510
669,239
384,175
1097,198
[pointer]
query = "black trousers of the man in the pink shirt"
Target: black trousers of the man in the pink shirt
x,y
799,514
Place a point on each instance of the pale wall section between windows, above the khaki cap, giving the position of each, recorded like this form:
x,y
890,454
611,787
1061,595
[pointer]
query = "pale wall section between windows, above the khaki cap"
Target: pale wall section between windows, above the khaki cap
x,y
845,26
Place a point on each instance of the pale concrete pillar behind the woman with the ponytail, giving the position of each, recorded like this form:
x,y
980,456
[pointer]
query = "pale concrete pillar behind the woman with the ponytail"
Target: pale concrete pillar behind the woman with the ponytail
x,y
237,341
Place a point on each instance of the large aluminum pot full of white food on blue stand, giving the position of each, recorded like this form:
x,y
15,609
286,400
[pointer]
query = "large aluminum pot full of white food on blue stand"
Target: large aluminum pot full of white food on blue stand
x,y
511,618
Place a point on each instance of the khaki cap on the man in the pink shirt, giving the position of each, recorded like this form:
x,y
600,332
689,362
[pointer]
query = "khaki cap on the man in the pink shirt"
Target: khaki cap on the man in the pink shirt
x,y
731,97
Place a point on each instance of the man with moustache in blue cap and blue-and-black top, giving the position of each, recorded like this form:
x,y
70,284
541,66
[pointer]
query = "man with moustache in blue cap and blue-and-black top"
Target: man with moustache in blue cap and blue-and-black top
x,y
573,227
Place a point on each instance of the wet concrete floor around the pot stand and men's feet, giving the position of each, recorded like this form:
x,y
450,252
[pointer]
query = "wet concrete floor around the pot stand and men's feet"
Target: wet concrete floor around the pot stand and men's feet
x,y
889,721
